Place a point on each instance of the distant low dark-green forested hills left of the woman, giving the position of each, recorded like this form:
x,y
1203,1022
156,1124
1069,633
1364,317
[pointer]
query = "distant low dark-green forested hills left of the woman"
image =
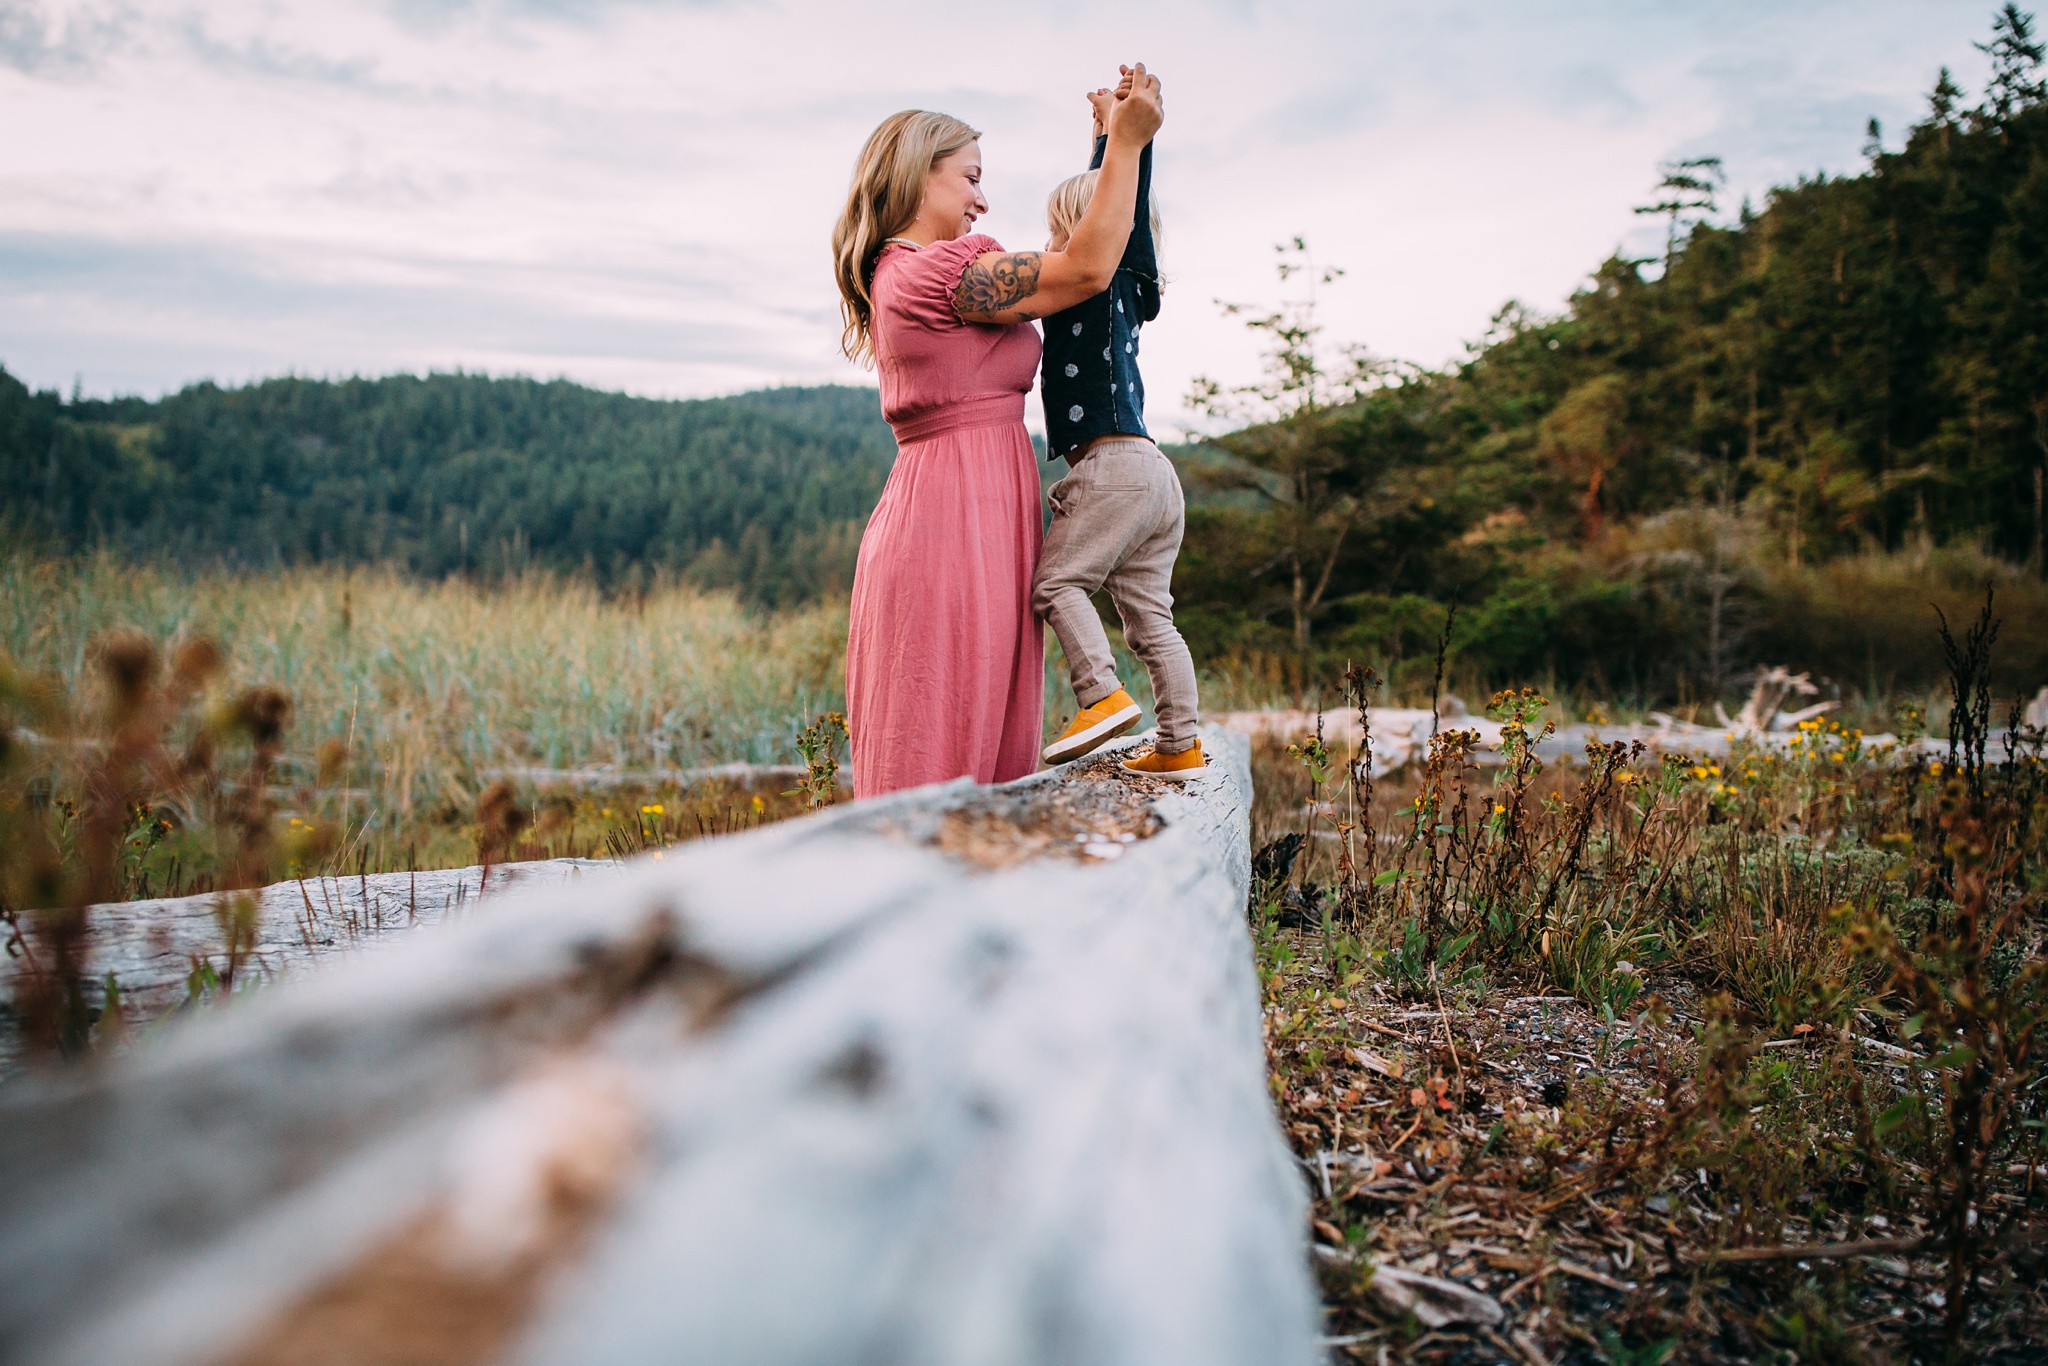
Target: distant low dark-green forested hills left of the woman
x,y
458,474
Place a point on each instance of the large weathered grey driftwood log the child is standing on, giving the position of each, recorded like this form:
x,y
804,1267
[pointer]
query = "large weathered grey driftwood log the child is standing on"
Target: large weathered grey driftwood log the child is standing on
x,y
955,1076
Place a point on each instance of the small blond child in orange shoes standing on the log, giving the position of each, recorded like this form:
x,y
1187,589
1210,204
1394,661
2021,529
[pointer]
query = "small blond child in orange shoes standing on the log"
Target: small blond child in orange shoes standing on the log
x,y
1117,517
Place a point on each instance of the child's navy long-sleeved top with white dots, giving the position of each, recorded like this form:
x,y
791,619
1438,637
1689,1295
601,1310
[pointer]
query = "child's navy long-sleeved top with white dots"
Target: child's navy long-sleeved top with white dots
x,y
1091,380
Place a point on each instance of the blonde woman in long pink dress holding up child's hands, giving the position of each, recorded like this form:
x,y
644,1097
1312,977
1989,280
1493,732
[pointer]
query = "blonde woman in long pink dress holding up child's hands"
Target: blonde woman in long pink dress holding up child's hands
x,y
945,663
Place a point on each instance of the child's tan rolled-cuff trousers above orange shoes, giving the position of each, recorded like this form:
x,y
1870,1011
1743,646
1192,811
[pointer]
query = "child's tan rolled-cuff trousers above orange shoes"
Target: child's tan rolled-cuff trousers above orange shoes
x,y
1117,523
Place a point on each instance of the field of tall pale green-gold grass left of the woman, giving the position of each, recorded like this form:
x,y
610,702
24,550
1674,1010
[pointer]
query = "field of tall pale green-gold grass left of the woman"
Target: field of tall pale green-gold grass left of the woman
x,y
437,685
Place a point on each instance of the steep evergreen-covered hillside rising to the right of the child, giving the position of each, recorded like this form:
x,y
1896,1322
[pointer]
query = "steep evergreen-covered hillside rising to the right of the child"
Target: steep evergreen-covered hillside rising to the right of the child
x,y
1777,441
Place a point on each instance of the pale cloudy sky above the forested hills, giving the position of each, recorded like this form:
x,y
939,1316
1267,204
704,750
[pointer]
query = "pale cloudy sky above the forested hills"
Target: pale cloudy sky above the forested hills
x,y
640,194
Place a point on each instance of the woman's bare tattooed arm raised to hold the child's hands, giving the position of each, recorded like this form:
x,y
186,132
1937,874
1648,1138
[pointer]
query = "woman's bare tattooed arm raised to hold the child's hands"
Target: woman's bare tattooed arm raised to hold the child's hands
x,y
1007,288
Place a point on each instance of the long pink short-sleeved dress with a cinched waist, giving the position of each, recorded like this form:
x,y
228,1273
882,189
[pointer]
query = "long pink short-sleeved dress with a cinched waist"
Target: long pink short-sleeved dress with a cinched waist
x,y
945,660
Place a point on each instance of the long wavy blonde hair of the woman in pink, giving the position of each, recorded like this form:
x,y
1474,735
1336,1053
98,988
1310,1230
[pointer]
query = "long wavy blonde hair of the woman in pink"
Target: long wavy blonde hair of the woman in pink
x,y
884,202
